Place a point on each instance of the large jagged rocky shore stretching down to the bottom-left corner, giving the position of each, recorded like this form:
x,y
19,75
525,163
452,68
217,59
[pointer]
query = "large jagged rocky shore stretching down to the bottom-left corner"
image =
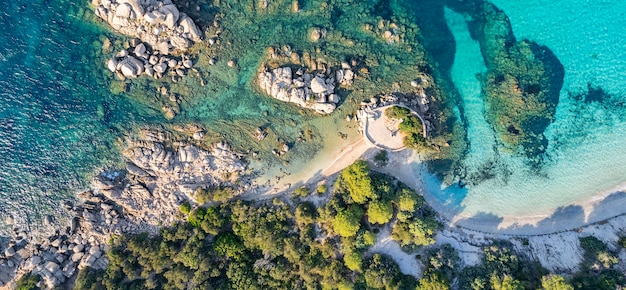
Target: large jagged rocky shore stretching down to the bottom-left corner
x,y
144,197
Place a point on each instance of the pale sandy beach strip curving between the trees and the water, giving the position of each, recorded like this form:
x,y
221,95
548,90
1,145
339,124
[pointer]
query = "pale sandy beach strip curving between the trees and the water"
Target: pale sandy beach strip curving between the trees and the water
x,y
405,166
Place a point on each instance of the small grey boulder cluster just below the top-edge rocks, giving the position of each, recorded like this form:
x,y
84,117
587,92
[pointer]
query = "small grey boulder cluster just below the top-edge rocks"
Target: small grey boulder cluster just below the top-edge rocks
x,y
140,59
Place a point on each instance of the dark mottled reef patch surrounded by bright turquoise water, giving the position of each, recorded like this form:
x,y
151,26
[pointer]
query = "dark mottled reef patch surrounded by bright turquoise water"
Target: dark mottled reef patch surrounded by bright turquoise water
x,y
523,81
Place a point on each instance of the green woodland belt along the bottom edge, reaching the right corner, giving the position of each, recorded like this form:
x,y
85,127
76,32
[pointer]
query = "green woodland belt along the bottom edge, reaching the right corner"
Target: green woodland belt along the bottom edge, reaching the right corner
x,y
276,245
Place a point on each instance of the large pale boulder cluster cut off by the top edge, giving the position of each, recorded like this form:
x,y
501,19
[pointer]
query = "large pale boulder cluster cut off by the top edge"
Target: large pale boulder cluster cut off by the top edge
x,y
158,23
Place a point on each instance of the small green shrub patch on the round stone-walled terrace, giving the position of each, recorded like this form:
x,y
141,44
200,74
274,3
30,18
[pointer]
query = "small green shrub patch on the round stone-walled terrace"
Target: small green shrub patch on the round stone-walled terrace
x,y
411,126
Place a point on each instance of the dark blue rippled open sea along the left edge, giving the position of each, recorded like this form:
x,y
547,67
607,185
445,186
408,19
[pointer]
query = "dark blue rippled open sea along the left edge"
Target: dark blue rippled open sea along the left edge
x,y
58,122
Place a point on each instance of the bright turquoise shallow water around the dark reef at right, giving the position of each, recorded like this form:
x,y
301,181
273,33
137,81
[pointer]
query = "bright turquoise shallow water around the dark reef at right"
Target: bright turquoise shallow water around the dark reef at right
x,y
587,149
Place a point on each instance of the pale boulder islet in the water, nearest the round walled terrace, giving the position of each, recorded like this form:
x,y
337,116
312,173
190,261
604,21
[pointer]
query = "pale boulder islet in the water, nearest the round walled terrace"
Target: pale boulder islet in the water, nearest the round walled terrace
x,y
312,91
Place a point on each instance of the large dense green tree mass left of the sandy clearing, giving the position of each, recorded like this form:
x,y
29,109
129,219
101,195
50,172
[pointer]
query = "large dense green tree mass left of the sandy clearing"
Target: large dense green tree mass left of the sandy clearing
x,y
271,245
